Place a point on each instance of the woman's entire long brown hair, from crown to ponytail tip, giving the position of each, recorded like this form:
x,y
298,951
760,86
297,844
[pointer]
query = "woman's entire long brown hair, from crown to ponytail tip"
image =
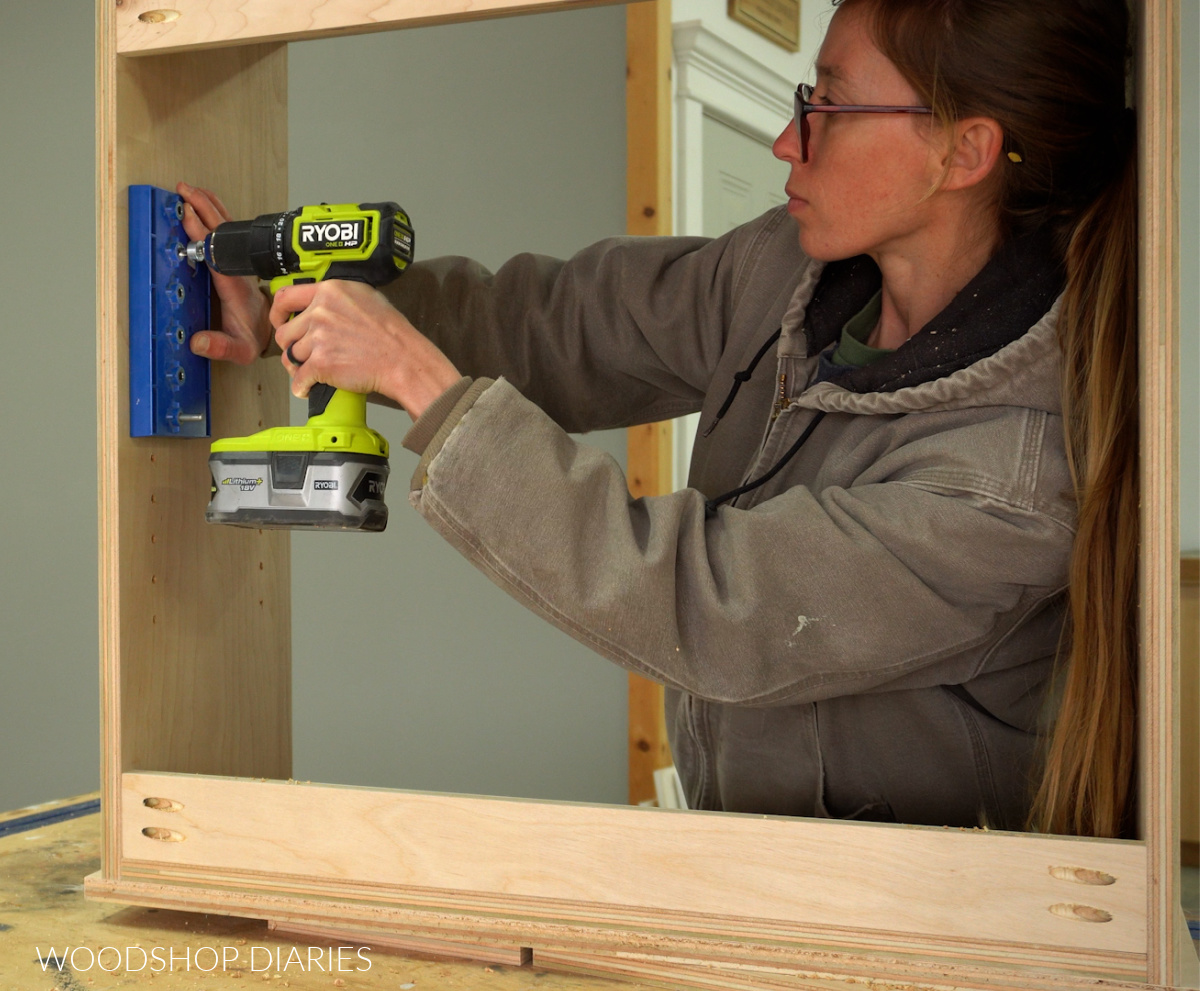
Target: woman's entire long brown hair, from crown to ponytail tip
x,y
1053,75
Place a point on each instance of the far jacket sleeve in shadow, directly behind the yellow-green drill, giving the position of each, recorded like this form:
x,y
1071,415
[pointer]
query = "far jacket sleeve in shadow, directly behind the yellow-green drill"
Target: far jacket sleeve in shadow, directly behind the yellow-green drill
x,y
627,332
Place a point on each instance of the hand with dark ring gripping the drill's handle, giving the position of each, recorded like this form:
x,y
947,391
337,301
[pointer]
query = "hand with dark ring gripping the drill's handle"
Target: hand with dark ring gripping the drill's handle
x,y
347,335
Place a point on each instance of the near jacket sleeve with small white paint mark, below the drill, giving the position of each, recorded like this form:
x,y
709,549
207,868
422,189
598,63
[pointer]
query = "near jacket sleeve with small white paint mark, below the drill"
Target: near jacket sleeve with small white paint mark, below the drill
x,y
808,596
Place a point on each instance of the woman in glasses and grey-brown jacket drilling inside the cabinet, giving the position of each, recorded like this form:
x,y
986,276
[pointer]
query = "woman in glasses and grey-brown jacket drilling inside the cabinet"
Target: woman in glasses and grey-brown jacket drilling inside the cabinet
x,y
917,424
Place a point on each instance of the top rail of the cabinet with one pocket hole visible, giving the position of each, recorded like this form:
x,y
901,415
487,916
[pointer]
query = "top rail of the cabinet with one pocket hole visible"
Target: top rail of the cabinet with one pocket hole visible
x,y
203,25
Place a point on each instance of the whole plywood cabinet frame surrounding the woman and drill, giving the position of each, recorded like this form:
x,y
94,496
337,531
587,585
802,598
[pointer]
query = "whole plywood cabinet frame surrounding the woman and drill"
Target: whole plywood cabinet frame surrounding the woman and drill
x,y
200,812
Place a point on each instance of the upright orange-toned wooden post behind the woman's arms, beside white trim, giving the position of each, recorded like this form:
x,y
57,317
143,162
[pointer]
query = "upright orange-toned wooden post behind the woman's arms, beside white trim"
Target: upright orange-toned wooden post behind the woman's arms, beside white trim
x,y
649,213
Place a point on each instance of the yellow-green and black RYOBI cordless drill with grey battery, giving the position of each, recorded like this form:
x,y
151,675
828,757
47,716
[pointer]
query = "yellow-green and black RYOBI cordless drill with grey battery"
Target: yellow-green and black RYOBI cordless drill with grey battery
x,y
331,473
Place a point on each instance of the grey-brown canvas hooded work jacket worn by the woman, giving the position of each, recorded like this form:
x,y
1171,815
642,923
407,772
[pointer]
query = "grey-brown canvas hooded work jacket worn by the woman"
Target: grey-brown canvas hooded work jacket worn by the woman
x,y
868,635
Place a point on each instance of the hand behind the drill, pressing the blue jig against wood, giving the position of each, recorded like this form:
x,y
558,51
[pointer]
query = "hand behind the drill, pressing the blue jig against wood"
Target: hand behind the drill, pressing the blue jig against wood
x,y
245,332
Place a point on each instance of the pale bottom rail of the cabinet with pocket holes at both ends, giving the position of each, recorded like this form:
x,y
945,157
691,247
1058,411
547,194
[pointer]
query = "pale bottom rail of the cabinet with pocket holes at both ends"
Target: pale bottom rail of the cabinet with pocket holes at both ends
x,y
409,848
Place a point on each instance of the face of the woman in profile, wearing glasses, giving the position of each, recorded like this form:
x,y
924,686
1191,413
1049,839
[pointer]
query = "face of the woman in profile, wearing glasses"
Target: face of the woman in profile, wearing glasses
x,y
866,187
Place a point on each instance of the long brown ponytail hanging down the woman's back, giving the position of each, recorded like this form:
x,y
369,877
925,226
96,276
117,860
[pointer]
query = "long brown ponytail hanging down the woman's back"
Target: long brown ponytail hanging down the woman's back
x,y
1088,784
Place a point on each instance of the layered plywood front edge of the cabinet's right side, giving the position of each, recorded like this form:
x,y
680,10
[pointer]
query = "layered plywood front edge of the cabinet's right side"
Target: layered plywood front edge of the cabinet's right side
x,y
1159,103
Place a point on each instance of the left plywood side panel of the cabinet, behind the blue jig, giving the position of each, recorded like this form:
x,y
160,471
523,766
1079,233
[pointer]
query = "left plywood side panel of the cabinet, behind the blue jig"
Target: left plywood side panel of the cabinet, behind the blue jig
x,y
197,617
